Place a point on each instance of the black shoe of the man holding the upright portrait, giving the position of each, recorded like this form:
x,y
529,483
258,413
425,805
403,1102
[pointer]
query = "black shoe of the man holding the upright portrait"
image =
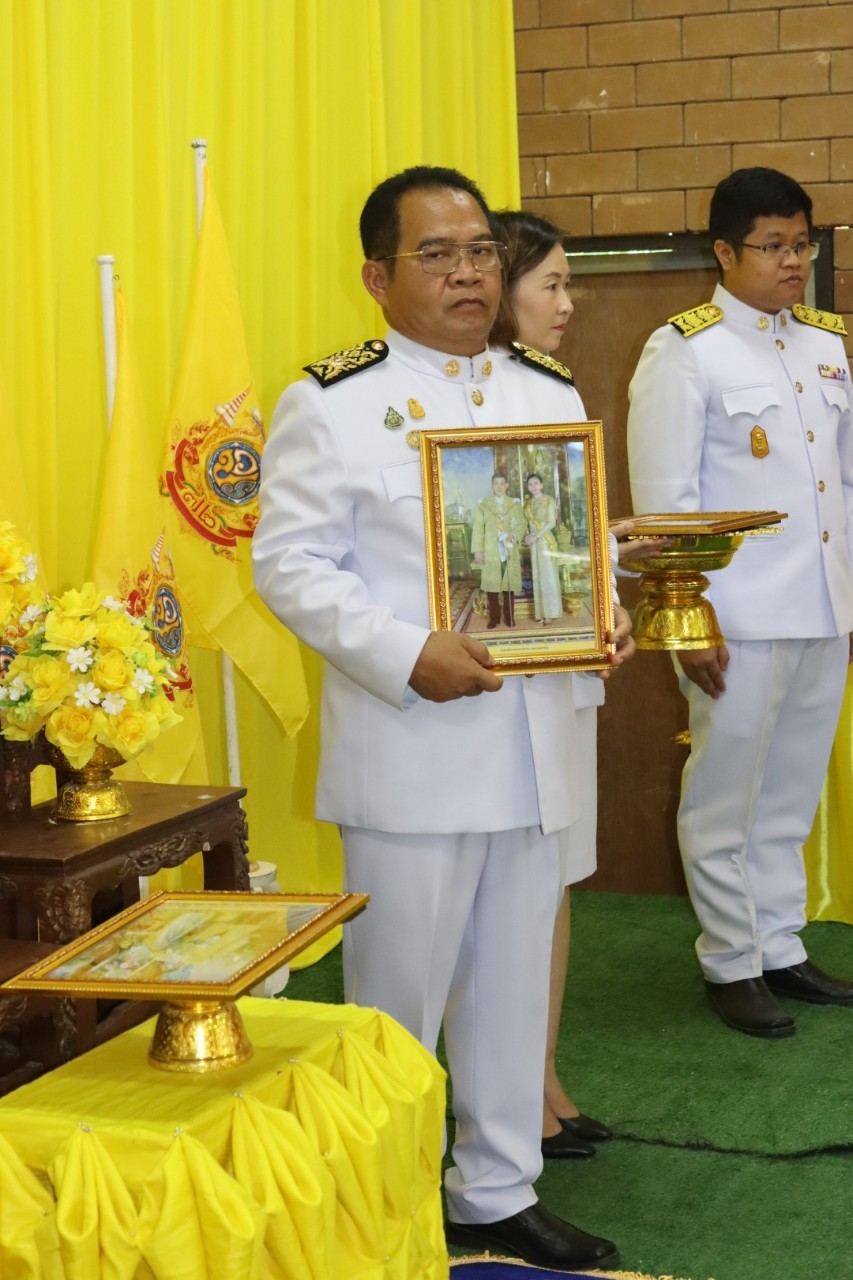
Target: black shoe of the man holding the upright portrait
x,y
537,1237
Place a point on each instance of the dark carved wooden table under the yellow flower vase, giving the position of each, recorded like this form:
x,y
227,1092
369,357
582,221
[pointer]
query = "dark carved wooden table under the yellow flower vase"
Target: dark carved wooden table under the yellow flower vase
x,y
53,871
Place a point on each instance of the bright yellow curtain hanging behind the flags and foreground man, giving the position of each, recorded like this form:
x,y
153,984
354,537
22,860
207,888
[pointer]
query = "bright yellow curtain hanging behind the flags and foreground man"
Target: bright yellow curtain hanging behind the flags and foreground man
x,y
305,106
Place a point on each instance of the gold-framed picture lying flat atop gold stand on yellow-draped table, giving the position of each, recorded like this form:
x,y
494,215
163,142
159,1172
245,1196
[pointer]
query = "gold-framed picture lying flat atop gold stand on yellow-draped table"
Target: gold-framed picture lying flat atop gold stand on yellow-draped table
x,y
189,947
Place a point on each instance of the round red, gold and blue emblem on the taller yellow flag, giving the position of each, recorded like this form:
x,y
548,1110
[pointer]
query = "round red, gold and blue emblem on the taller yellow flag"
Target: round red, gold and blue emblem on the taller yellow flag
x,y
213,474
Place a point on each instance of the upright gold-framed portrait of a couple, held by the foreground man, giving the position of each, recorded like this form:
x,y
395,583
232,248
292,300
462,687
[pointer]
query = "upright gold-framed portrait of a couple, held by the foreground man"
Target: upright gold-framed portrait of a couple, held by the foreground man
x,y
517,543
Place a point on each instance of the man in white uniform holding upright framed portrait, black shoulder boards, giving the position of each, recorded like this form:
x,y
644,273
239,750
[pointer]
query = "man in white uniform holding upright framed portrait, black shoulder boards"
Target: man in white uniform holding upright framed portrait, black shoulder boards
x,y
450,803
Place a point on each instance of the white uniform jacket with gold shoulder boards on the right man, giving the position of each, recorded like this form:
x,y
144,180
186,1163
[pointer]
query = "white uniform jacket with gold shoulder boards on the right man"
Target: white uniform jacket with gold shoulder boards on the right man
x,y
694,446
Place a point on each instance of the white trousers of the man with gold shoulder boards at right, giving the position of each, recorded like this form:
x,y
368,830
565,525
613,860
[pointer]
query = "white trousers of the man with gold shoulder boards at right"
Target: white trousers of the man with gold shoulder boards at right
x,y
750,794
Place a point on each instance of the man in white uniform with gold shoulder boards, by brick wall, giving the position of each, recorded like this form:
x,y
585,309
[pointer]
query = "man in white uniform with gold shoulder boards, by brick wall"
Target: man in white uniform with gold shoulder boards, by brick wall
x,y
745,405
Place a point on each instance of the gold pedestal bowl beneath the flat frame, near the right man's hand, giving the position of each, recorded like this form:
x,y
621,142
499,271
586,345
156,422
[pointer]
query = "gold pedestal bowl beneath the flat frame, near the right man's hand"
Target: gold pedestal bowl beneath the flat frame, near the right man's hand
x,y
674,614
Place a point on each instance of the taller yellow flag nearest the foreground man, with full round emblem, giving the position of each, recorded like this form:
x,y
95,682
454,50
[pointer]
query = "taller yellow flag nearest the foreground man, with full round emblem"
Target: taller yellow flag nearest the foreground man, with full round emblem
x,y
212,477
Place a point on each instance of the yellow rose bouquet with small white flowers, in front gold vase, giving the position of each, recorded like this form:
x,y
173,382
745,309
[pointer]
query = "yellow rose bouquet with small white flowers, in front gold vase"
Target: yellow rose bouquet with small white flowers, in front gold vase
x,y
88,673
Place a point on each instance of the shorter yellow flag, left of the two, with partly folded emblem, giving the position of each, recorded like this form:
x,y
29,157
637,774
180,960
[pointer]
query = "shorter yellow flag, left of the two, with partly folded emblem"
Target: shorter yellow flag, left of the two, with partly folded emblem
x,y
134,564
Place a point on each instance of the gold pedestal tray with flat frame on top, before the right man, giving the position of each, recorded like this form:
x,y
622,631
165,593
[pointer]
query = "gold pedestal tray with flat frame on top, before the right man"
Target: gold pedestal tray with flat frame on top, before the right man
x,y
674,612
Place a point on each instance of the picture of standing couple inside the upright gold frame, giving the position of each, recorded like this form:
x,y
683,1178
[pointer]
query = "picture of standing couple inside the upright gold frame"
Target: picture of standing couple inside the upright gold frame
x,y
517,538
